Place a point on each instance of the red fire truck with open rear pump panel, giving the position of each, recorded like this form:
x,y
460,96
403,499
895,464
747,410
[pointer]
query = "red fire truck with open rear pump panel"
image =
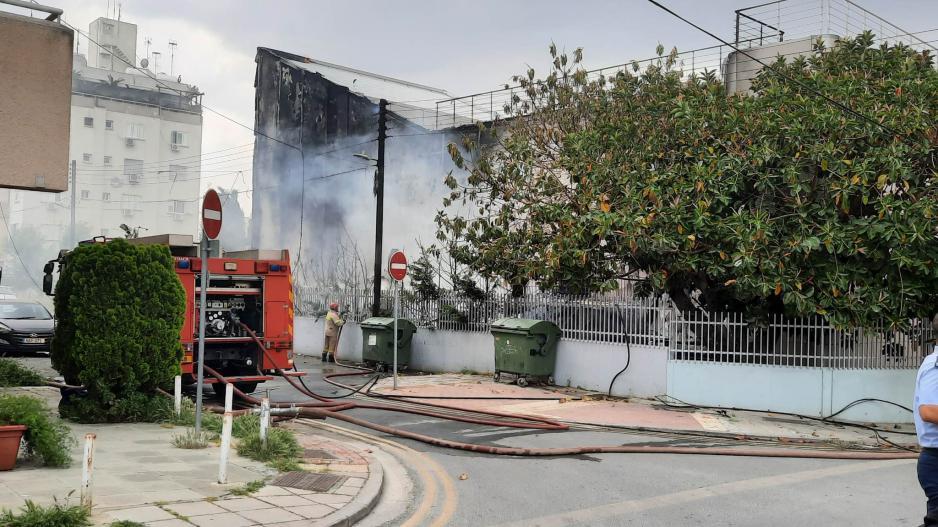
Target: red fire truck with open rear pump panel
x,y
252,287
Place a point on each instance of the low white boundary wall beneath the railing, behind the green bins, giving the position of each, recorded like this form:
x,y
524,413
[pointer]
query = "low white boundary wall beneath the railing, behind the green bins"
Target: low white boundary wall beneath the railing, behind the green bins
x,y
810,391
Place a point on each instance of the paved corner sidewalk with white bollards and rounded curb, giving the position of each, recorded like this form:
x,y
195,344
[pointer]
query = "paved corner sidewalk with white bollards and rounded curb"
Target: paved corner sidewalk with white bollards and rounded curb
x,y
140,476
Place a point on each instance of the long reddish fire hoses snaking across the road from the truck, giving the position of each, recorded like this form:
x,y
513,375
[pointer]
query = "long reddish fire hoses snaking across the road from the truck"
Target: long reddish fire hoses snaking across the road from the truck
x,y
328,408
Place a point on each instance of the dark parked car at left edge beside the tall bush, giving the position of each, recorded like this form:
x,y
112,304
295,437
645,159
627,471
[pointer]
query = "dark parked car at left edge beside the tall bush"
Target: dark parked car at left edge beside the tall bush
x,y
25,327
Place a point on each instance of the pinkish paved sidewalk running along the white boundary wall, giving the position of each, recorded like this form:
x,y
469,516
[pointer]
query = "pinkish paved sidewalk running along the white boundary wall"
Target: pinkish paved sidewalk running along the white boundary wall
x,y
596,409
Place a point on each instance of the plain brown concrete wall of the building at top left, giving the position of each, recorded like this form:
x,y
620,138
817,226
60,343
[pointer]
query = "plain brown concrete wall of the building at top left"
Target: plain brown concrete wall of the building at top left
x,y
35,86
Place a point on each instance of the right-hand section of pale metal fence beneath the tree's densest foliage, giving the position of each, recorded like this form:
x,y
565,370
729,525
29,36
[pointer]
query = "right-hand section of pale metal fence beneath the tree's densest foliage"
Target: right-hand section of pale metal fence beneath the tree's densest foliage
x,y
797,342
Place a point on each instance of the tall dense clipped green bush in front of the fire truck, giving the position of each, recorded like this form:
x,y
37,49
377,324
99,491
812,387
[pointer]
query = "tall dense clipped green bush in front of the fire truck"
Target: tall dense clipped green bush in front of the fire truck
x,y
120,308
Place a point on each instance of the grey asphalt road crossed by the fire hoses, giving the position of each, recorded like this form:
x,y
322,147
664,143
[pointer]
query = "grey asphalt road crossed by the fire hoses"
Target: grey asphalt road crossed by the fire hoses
x,y
627,490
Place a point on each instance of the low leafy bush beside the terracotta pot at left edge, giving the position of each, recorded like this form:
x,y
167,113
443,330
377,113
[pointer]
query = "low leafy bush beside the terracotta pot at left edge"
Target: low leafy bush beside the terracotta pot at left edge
x,y
47,438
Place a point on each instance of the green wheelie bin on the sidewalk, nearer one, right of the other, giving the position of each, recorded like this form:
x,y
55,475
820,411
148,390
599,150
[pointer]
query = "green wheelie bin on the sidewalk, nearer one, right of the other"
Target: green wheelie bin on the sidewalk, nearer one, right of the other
x,y
526,348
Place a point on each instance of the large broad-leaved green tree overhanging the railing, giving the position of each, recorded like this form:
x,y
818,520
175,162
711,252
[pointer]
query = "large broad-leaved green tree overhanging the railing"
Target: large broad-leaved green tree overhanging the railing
x,y
814,194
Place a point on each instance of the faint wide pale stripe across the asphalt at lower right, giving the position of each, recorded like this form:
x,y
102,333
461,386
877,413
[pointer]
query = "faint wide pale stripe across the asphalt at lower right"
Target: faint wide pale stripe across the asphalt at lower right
x,y
612,510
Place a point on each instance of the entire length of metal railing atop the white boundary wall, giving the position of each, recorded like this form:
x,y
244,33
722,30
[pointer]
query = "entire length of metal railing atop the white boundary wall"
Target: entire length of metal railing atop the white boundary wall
x,y
699,336
